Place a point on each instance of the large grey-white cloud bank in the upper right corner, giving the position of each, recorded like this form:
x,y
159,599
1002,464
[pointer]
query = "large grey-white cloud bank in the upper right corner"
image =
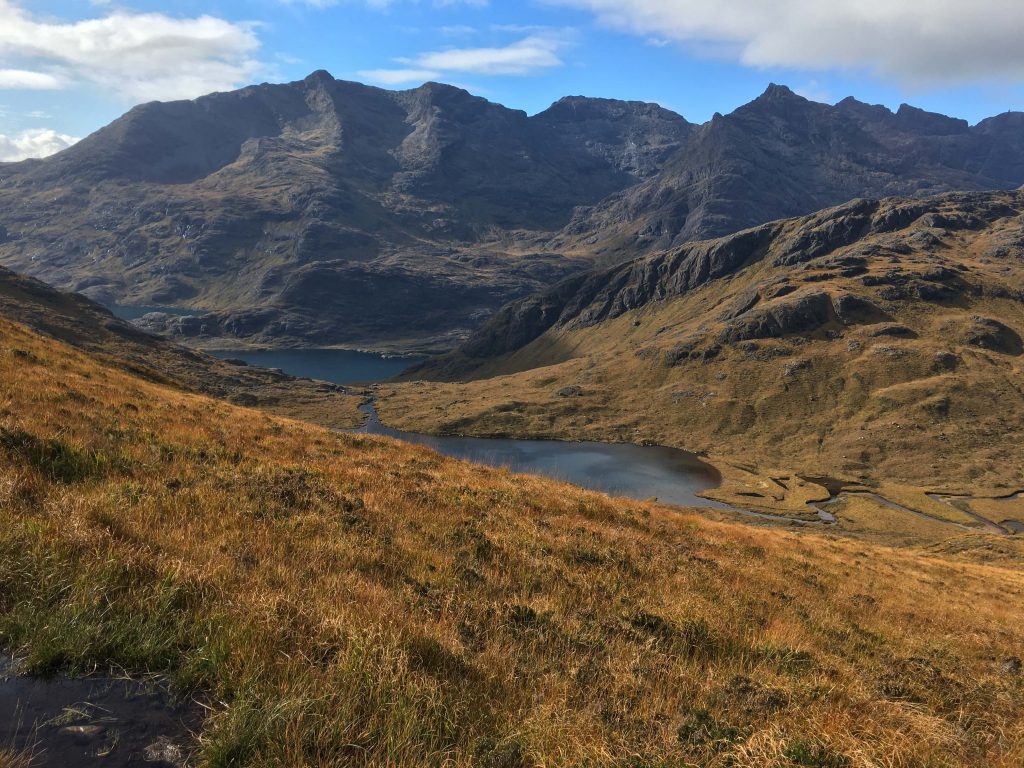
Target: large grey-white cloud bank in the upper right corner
x,y
923,42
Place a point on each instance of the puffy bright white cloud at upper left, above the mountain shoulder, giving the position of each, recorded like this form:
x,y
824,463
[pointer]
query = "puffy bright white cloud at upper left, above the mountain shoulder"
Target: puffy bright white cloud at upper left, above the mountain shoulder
x,y
140,57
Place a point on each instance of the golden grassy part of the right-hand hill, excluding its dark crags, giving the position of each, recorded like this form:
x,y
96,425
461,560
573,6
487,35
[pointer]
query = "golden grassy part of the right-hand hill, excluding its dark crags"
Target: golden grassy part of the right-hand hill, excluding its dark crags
x,y
837,401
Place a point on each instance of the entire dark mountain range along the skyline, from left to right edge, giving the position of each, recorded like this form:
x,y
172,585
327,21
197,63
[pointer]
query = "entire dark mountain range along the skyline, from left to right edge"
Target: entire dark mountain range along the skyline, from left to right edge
x,y
325,212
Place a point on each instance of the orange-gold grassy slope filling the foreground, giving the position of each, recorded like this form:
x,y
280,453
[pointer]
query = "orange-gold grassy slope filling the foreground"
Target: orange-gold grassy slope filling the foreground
x,y
351,601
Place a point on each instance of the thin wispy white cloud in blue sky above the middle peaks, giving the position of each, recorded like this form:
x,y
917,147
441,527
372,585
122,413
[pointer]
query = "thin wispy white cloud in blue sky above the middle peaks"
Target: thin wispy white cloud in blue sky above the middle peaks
x,y
526,57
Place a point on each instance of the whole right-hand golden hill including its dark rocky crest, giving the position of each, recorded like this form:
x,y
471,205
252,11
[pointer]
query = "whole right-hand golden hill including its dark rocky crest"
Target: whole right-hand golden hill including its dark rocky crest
x,y
876,343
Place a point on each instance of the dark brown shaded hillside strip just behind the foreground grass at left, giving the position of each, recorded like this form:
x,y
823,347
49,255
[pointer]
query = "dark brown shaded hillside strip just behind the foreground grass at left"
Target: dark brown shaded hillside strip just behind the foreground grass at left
x,y
75,320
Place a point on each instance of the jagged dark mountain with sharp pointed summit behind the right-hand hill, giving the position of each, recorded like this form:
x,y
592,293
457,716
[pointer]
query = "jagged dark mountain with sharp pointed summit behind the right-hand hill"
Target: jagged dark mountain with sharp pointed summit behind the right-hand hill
x,y
783,156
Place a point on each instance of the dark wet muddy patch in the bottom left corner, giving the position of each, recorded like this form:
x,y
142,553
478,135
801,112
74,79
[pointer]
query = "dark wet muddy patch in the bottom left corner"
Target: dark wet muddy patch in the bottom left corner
x,y
95,721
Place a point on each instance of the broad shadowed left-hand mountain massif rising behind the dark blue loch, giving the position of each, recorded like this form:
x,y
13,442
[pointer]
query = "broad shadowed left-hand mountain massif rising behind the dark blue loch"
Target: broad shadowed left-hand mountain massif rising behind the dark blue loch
x,y
324,211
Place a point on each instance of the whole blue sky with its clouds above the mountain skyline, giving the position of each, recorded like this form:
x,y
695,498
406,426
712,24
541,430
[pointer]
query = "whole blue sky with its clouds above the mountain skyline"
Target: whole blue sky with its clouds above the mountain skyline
x,y
69,67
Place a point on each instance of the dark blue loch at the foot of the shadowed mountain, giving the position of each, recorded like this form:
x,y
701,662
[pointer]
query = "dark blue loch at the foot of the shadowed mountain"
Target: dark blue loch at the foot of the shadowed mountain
x,y
338,366
